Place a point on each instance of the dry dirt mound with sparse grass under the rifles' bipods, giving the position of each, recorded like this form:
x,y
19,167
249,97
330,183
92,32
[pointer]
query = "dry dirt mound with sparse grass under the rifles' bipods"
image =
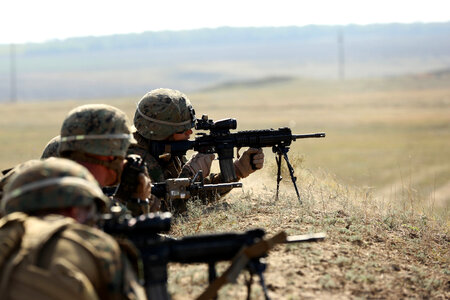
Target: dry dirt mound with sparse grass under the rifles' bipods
x,y
370,252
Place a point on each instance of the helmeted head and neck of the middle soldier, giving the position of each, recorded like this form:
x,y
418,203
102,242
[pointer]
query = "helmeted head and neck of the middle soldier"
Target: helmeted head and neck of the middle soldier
x,y
97,136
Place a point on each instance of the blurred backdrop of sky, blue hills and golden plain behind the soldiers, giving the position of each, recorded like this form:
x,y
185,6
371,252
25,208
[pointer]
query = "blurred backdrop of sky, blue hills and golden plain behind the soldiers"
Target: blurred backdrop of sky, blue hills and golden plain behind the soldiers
x,y
373,75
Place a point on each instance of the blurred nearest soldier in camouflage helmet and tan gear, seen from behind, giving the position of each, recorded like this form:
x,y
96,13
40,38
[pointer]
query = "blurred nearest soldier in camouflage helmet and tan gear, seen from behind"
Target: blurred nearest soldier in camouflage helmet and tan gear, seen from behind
x,y
52,253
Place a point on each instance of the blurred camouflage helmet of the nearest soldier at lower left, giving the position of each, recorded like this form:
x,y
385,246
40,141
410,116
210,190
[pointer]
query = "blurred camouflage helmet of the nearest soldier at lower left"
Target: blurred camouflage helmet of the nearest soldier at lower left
x,y
51,184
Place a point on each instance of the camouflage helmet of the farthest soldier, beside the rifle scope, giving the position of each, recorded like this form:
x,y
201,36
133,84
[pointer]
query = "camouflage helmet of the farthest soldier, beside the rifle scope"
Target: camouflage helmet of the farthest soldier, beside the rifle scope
x,y
163,112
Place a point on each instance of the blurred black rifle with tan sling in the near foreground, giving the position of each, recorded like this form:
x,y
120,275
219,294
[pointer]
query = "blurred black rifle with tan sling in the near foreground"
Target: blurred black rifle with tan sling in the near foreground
x,y
244,250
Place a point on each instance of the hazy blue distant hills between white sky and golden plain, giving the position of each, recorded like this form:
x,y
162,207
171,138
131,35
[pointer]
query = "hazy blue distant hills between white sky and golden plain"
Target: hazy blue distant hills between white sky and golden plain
x,y
129,65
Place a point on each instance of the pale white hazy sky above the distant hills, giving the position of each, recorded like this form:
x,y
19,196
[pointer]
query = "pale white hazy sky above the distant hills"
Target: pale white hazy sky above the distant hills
x,y
40,20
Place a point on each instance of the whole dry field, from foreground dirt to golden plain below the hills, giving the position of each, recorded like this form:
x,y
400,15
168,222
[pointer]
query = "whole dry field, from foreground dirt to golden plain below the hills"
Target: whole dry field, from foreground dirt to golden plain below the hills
x,y
378,184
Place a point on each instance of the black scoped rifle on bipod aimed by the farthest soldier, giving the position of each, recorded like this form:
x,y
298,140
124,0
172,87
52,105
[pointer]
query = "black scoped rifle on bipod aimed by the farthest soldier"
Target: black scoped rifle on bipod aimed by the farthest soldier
x,y
222,141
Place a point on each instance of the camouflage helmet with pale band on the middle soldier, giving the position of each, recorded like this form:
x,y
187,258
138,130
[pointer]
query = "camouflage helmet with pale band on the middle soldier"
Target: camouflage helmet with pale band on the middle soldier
x,y
96,129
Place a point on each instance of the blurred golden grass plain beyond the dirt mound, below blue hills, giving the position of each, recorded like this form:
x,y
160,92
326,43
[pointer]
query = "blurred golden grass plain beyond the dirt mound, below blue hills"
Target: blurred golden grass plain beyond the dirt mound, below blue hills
x,y
389,136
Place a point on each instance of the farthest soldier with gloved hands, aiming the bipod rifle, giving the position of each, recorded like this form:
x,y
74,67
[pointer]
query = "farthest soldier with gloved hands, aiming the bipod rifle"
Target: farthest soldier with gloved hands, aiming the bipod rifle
x,y
165,114
